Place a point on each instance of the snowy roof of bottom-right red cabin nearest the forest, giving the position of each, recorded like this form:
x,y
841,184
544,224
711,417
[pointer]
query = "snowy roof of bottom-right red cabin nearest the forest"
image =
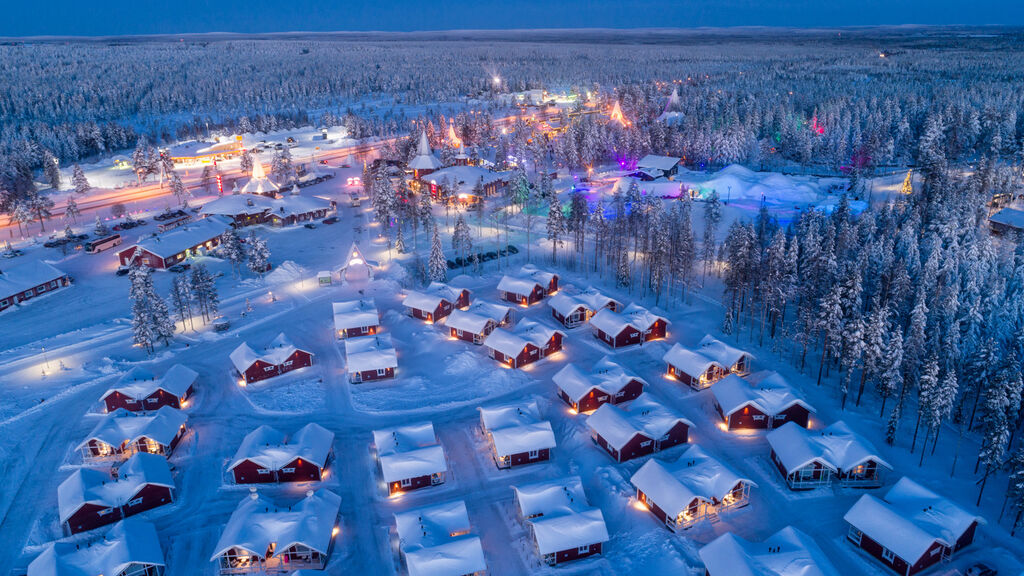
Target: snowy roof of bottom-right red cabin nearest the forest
x,y
911,519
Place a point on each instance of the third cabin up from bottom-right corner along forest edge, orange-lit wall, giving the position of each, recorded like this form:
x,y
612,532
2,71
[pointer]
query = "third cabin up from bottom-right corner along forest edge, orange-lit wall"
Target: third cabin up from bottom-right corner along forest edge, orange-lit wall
x,y
763,401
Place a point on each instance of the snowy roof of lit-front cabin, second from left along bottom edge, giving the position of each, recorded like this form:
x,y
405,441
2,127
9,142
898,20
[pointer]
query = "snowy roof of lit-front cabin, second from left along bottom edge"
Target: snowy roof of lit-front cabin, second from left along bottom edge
x,y
259,522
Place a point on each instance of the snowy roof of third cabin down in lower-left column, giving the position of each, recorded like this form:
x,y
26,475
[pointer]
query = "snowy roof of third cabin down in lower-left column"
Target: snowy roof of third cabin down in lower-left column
x,y
93,486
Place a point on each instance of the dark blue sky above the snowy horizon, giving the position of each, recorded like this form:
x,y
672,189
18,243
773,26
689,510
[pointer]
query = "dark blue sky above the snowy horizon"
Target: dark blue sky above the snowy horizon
x,y
81,18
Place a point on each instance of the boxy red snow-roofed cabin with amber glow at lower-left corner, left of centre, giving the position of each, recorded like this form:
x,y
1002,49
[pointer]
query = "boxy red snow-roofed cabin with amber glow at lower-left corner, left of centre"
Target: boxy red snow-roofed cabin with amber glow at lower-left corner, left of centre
x,y
411,458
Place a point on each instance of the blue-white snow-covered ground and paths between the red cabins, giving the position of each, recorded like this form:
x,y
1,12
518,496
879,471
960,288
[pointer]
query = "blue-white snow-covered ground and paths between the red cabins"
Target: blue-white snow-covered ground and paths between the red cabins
x,y
60,353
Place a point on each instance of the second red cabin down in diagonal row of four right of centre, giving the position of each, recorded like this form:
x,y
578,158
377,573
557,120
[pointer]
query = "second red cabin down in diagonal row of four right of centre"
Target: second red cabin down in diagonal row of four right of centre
x,y
641,428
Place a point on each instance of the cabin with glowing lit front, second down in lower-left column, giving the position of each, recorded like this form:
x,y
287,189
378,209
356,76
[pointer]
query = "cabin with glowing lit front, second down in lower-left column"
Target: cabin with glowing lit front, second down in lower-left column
x,y
121,434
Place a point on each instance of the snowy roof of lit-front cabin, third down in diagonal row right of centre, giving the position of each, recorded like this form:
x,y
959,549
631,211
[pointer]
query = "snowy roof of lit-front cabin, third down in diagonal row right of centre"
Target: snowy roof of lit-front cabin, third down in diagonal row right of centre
x,y
696,475
